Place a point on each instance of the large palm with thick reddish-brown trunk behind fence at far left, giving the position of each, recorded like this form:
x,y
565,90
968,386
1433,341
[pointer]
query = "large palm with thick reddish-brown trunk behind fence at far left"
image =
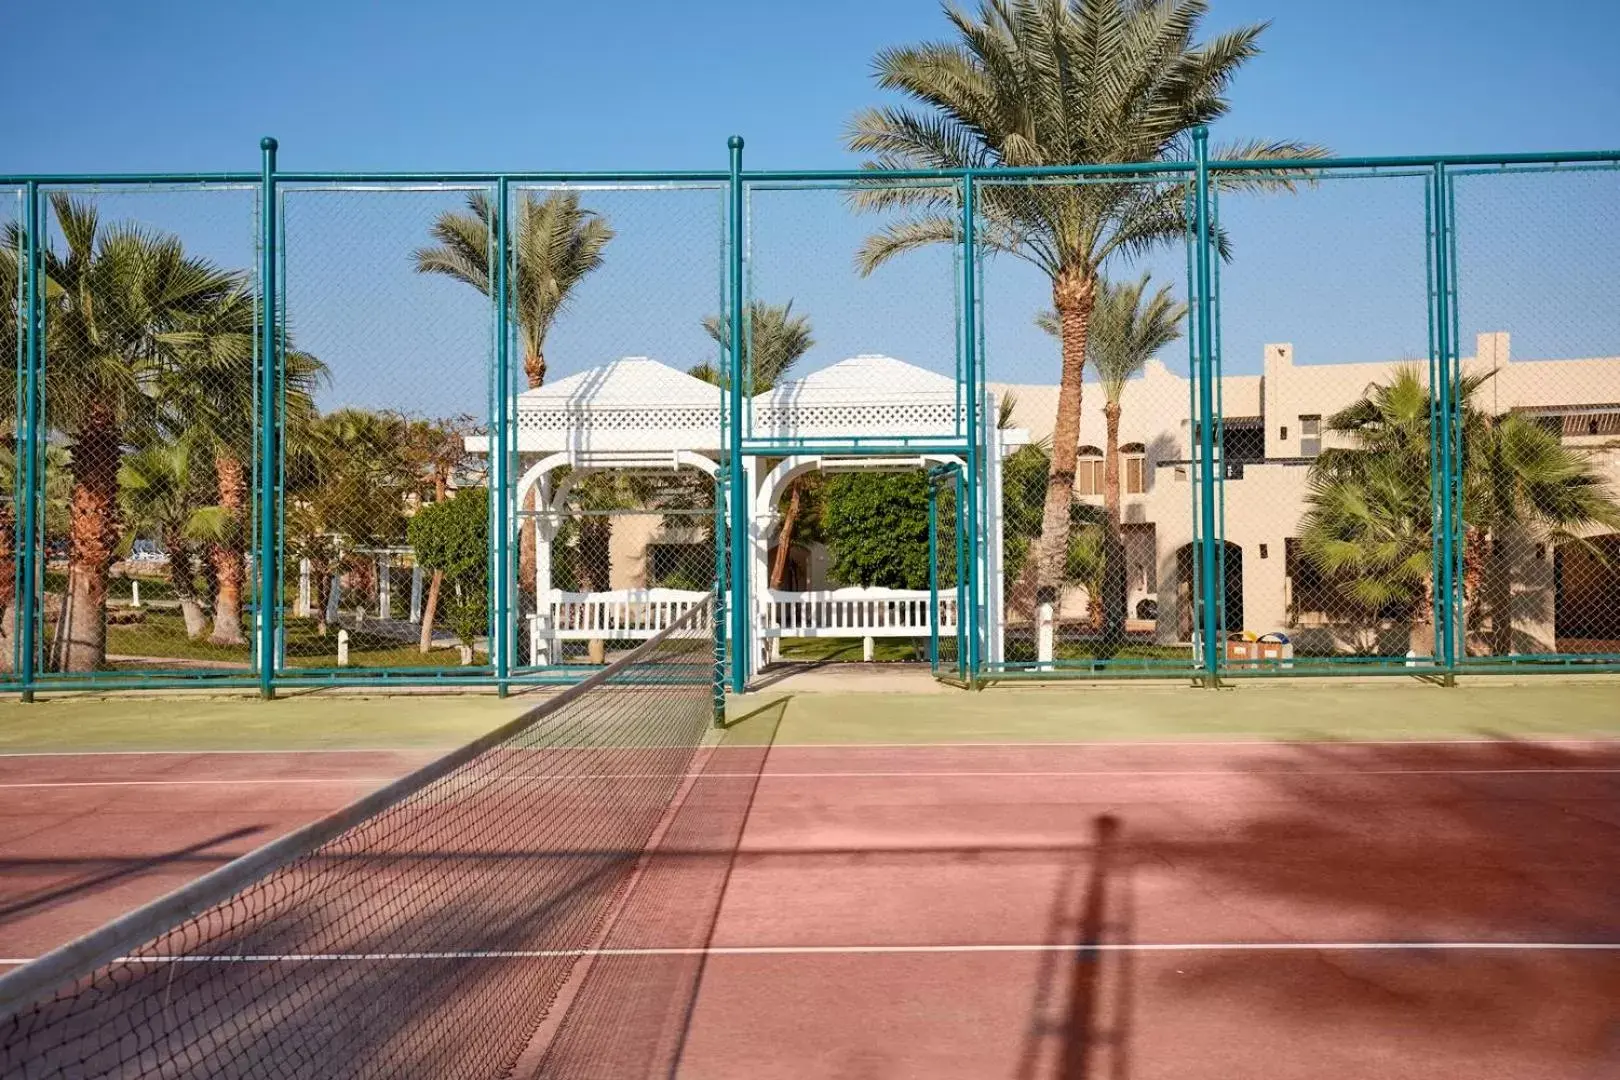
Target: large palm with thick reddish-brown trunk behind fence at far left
x,y
119,302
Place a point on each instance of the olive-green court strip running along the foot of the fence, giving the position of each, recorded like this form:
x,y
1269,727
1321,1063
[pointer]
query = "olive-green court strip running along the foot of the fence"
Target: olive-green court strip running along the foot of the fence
x,y
1308,710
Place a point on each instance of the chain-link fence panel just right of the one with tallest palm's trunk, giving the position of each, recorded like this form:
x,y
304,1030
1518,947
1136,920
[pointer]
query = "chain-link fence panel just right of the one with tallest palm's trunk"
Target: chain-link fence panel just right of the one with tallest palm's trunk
x,y
1326,430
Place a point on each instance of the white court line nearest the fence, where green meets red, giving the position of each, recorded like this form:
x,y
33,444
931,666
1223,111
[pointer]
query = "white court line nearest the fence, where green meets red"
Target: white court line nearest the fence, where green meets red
x,y
1136,744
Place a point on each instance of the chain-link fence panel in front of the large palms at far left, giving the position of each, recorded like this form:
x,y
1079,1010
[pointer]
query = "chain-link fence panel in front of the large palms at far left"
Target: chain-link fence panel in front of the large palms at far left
x,y
148,432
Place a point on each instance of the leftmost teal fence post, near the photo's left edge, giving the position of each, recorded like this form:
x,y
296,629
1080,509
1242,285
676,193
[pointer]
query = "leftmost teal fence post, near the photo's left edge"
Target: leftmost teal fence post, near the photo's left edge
x,y
30,446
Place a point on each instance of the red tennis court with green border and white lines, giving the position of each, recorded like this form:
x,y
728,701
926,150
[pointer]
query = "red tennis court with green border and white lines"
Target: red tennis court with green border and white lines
x,y
1114,883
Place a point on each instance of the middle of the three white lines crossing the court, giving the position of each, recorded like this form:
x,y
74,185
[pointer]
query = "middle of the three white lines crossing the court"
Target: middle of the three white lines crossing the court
x,y
769,775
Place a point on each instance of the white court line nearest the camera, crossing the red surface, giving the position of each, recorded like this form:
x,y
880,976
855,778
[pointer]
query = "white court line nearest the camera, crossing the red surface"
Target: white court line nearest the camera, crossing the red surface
x,y
819,951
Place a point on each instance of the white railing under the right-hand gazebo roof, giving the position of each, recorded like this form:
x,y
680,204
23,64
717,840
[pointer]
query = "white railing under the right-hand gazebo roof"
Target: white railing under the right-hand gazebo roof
x,y
855,613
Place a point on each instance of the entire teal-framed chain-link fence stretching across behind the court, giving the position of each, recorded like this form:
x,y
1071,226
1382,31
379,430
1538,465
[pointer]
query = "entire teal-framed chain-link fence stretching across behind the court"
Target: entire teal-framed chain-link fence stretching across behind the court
x,y
480,430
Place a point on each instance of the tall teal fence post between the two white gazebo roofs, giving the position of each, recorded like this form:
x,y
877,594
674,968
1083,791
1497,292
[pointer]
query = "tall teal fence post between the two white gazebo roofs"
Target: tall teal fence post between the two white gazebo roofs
x,y
741,602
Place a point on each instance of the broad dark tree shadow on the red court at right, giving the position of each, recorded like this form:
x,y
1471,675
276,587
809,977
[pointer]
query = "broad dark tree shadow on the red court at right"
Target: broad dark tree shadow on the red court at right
x,y
1396,844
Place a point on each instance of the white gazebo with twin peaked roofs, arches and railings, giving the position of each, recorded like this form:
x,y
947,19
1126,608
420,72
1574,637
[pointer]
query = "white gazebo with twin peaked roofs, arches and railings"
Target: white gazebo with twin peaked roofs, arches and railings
x,y
637,415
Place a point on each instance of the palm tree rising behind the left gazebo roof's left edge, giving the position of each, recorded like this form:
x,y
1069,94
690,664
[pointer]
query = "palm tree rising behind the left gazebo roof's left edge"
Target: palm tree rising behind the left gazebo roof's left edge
x,y
555,245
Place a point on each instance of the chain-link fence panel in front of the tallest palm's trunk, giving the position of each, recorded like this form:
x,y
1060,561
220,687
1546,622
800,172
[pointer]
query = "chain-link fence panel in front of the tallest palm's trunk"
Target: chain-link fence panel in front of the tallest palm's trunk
x,y
1085,292
